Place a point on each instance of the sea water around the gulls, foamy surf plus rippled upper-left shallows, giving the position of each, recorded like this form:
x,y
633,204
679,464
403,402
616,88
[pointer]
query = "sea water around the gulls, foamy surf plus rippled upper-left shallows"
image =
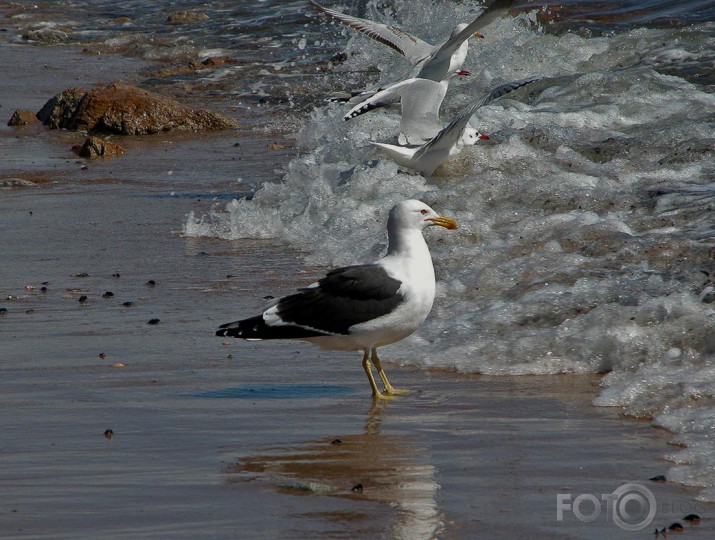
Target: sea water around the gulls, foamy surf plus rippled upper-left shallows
x,y
586,226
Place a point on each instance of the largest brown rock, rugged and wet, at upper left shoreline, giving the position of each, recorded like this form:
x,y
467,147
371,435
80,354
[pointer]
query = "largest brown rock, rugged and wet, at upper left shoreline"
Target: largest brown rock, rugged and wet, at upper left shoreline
x,y
126,110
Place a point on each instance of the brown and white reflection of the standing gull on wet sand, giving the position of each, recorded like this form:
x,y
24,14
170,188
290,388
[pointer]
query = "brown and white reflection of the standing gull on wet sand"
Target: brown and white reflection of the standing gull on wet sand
x,y
387,470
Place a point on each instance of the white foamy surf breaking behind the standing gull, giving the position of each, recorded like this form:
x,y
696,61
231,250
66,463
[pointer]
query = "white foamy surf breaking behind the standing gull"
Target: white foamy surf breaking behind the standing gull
x,y
586,222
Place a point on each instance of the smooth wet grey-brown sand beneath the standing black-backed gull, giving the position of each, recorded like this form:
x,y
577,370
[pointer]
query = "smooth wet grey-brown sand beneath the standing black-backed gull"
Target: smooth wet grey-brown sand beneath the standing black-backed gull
x,y
249,440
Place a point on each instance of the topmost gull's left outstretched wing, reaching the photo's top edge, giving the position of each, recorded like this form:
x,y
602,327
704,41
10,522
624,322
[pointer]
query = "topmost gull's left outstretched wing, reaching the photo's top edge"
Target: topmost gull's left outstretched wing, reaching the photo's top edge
x,y
409,46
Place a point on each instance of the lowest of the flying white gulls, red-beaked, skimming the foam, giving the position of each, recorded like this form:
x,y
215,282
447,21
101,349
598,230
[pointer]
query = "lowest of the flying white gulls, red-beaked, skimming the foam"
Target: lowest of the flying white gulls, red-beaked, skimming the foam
x,y
450,140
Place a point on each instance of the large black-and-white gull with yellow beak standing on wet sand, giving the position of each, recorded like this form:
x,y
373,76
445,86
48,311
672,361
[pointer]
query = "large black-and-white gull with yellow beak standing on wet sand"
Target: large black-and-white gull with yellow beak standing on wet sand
x,y
360,307
